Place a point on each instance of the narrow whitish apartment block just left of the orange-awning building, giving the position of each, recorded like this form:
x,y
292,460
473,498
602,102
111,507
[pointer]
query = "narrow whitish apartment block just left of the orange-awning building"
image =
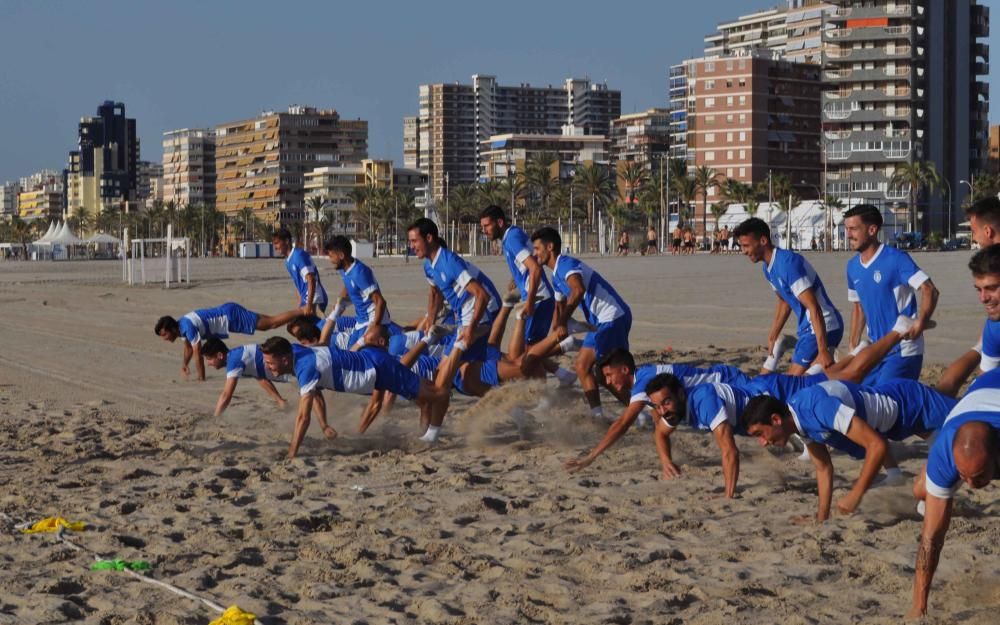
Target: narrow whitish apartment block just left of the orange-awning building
x,y
189,166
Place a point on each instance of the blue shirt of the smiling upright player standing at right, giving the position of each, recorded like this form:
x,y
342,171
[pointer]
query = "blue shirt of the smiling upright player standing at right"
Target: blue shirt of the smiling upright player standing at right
x,y
886,288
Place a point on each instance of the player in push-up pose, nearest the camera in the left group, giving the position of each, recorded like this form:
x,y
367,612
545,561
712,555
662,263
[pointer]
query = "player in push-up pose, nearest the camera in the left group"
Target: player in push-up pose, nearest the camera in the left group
x,y
361,372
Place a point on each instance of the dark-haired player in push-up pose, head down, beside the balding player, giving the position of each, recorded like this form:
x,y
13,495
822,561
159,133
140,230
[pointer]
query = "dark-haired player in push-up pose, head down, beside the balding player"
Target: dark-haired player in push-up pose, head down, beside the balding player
x,y
851,418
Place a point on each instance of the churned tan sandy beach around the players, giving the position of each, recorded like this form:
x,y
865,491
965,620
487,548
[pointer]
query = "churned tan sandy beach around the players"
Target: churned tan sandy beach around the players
x,y
97,425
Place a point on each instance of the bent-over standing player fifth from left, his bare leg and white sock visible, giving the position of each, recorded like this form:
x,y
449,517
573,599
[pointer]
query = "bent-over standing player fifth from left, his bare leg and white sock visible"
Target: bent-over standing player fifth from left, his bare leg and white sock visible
x,y
577,284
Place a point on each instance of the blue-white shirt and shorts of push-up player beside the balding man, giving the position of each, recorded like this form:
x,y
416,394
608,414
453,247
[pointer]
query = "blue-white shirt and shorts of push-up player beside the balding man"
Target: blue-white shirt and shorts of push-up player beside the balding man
x,y
897,410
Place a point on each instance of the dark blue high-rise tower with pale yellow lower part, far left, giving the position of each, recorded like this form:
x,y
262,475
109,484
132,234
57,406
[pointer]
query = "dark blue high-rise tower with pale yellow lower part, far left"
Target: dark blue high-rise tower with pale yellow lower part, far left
x,y
102,172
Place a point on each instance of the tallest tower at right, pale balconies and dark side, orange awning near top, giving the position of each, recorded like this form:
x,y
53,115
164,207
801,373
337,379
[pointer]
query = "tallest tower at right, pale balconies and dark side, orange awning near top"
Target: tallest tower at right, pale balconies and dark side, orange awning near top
x,y
905,83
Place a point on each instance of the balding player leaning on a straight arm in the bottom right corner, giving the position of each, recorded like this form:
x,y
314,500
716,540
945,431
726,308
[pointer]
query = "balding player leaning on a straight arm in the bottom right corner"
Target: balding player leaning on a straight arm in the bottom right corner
x,y
967,449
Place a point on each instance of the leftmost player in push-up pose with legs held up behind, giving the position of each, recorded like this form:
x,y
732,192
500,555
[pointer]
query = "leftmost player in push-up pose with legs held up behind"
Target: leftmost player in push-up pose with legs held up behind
x,y
217,322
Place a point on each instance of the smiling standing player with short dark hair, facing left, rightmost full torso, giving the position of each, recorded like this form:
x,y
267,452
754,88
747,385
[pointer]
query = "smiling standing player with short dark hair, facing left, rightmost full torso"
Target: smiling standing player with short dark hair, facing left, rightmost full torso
x,y
882,282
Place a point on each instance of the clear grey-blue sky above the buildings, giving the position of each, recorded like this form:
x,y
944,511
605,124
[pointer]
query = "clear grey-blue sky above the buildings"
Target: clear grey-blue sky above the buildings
x,y
181,63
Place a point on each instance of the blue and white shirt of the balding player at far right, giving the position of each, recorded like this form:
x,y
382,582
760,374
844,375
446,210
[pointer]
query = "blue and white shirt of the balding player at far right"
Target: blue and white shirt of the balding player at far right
x,y
981,403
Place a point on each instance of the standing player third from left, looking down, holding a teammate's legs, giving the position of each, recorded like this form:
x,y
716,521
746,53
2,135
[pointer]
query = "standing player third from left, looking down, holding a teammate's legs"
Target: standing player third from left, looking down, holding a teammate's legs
x,y
468,291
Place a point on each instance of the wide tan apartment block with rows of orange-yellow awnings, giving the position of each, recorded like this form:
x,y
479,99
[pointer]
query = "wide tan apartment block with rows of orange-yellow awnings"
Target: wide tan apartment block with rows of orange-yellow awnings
x,y
261,163
